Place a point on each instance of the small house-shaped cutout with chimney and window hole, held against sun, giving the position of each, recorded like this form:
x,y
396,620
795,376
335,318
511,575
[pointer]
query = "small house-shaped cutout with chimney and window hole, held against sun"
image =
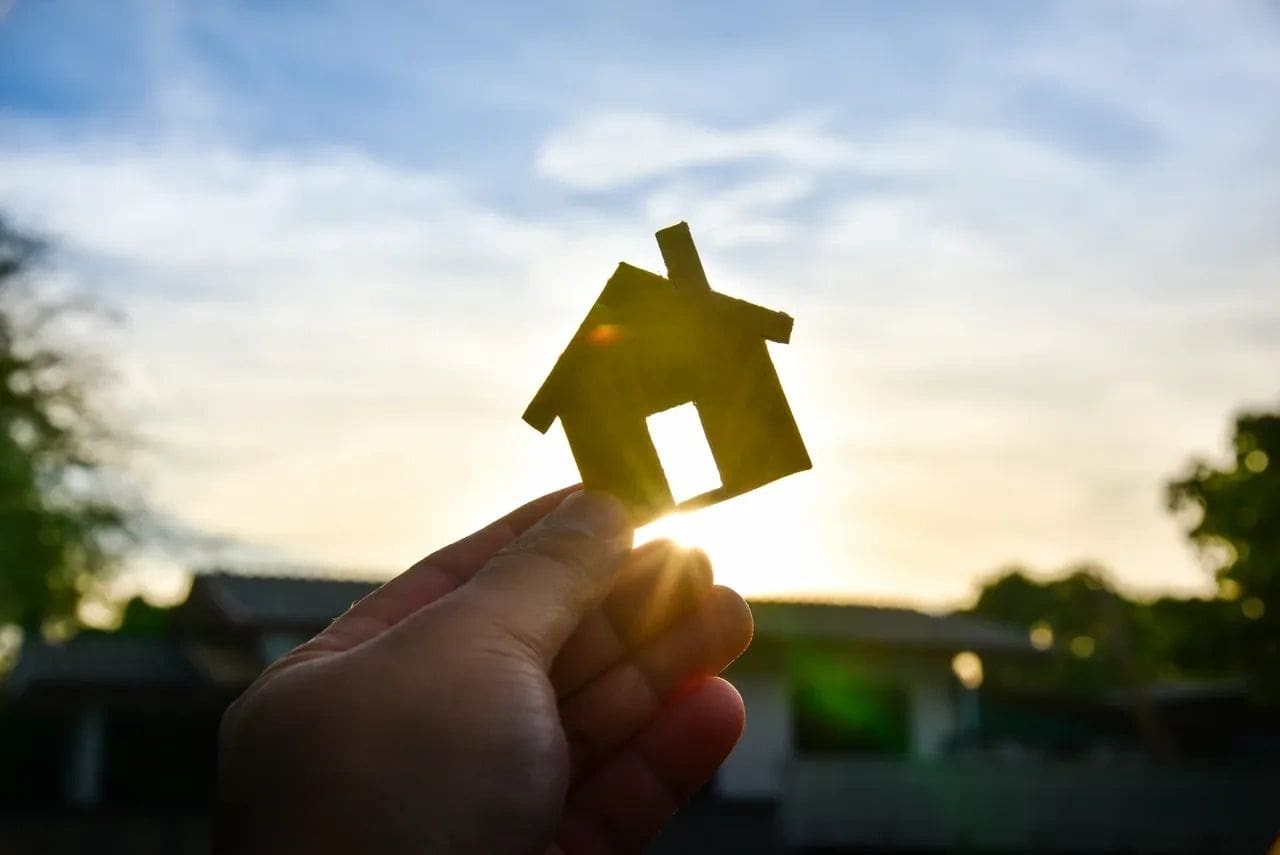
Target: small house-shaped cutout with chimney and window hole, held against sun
x,y
651,344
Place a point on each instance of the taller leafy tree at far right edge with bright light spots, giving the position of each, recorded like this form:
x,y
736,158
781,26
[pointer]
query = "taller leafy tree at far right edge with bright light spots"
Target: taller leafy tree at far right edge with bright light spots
x,y
1233,518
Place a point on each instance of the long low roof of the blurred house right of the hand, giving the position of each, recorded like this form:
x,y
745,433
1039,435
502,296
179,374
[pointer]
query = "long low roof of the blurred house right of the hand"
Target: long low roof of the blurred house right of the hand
x,y
899,628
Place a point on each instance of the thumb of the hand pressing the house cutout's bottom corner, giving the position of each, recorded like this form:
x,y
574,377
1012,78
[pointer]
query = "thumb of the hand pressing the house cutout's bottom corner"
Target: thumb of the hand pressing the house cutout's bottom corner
x,y
541,586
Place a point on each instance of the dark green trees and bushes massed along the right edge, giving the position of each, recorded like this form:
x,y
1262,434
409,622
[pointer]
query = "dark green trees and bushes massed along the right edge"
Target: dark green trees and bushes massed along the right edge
x,y
1105,642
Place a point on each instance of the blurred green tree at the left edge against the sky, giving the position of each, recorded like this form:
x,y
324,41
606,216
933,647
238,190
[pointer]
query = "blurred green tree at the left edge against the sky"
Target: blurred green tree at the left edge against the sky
x,y
60,527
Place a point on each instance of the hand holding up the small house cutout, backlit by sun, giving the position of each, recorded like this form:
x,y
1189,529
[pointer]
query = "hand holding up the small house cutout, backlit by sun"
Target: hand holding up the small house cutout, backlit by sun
x,y
538,687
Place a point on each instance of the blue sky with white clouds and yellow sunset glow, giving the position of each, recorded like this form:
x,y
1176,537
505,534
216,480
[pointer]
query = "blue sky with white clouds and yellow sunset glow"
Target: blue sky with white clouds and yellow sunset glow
x,y
1031,252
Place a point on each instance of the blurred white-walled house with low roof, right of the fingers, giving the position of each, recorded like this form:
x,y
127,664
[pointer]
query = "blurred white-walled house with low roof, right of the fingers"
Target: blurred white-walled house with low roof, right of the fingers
x,y
853,680
